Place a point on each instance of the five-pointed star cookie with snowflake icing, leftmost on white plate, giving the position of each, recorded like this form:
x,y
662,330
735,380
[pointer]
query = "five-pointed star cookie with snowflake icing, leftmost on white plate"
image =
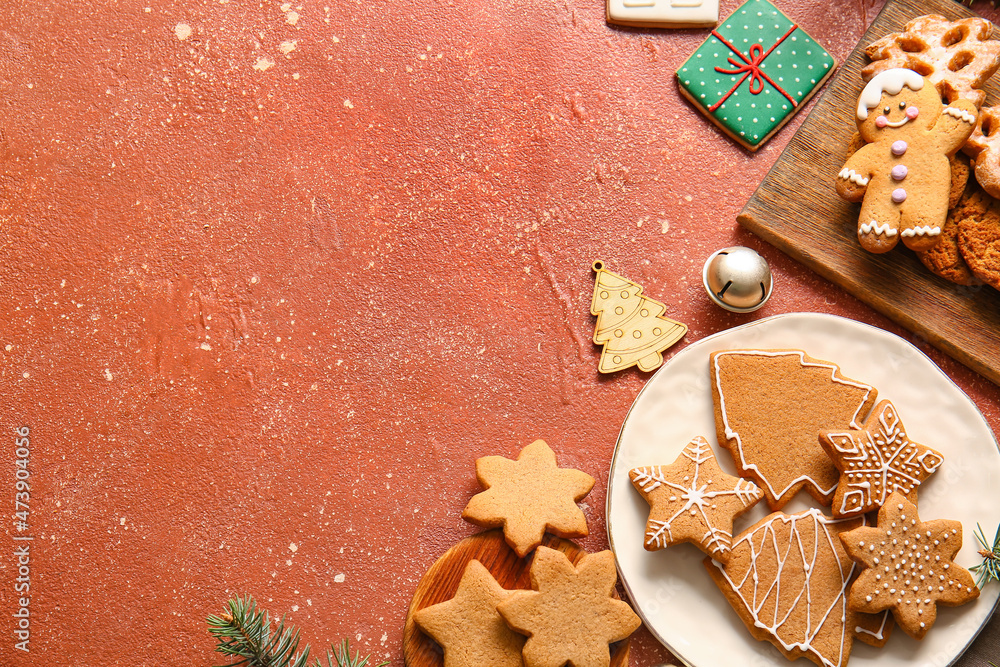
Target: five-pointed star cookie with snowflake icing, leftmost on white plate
x,y
692,500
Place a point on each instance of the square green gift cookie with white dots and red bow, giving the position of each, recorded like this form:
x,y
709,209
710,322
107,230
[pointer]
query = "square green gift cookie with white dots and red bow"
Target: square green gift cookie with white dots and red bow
x,y
754,72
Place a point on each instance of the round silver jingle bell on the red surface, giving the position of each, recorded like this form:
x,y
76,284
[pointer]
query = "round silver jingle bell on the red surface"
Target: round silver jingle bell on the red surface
x,y
737,279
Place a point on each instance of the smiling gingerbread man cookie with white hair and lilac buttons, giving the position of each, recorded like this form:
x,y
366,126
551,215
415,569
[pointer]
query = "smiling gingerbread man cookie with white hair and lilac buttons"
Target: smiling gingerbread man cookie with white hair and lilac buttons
x,y
902,176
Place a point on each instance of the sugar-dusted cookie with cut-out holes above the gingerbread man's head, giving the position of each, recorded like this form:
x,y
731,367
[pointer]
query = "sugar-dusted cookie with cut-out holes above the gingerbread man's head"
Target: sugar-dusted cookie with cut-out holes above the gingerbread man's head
x,y
956,56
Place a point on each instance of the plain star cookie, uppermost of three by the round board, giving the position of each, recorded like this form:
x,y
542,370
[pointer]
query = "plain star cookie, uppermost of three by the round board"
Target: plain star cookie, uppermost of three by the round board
x,y
528,497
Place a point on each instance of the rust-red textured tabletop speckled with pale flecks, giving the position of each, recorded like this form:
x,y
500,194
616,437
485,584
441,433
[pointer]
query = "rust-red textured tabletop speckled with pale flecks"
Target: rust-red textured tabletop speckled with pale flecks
x,y
263,321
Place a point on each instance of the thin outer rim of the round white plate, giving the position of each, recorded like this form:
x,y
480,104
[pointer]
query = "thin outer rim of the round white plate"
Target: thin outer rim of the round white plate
x,y
749,325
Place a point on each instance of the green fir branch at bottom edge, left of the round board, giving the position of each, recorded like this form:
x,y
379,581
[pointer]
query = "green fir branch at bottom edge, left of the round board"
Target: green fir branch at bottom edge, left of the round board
x,y
244,633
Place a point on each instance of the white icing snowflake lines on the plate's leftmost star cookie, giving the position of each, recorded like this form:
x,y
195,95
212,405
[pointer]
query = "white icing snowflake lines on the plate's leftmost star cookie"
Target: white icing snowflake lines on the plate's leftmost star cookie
x,y
695,495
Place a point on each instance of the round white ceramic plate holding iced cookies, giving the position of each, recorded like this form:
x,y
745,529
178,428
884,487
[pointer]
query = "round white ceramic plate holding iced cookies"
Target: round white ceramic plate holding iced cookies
x,y
671,589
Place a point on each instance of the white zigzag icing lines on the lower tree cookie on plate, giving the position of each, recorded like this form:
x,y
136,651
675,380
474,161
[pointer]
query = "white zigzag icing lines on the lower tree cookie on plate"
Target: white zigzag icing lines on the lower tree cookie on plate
x,y
769,598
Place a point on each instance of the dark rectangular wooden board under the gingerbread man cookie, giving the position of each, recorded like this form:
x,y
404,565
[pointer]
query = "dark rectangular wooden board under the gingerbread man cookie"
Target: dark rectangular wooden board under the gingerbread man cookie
x,y
797,210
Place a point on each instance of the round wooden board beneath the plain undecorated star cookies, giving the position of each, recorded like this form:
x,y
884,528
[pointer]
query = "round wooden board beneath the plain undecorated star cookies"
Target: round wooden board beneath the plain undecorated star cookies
x,y
441,582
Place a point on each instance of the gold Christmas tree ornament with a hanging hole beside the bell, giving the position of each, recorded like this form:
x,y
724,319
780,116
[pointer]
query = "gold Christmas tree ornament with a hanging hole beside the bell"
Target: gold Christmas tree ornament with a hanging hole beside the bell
x,y
630,326
